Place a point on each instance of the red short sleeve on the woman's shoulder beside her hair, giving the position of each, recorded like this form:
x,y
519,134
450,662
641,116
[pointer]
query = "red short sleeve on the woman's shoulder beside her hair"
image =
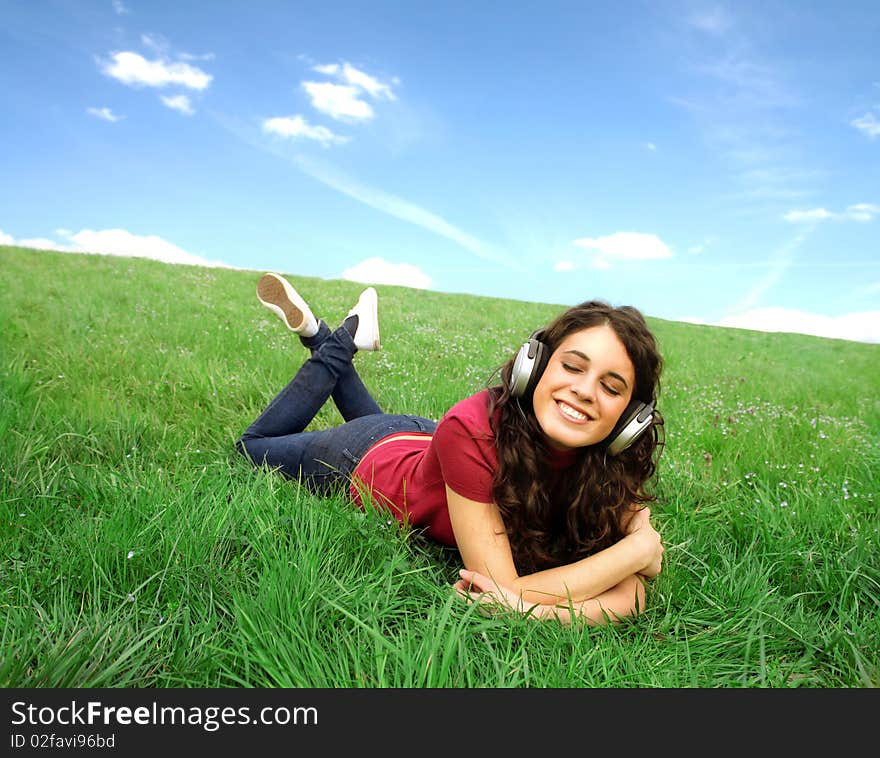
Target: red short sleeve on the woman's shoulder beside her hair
x,y
466,450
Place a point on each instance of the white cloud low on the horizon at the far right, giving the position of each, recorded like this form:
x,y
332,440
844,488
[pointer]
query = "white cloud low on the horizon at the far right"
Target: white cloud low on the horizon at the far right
x,y
859,327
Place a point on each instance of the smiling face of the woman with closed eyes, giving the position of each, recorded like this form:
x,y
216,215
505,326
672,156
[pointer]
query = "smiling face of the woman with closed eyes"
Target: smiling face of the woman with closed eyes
x,y
585,388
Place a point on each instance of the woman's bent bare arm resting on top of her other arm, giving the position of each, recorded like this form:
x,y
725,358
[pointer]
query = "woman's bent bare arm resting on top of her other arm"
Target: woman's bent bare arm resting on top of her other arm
x,y
485,549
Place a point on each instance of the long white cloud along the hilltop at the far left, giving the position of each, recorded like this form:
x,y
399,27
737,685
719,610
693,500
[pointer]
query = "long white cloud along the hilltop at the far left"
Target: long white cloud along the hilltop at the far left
x,y
115,242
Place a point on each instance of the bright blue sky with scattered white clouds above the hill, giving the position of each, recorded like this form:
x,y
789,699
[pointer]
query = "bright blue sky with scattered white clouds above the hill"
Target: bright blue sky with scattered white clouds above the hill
x,y
704,161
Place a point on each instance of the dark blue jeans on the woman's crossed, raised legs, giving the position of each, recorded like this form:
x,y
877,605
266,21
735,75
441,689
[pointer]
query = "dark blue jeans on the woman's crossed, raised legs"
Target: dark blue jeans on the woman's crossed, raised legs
x,y
323,460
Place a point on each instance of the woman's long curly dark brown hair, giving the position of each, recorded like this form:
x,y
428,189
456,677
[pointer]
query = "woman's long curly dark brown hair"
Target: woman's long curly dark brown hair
x,y
587,510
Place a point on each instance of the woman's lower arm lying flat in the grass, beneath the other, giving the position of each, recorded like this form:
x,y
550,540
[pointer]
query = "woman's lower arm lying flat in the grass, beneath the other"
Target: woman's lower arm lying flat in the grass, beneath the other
x,y
621,601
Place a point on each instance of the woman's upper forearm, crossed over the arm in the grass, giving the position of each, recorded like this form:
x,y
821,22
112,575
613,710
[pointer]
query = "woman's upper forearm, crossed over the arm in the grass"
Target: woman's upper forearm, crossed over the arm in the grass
x,y
586,579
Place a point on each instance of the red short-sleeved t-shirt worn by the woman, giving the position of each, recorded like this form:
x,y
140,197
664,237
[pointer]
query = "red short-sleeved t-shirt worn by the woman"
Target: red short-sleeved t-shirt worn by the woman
x,y
408,472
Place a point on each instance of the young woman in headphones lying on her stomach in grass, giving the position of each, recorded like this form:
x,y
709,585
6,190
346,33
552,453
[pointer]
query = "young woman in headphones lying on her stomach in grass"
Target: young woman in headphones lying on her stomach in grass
x,y
539,481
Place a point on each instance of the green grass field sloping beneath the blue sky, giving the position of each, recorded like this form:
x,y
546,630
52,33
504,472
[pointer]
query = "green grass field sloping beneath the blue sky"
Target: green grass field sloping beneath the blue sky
x,y
139,550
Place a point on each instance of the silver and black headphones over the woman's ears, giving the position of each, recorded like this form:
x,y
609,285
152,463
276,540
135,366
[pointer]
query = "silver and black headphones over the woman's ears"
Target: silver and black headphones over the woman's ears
x,y
529,365
